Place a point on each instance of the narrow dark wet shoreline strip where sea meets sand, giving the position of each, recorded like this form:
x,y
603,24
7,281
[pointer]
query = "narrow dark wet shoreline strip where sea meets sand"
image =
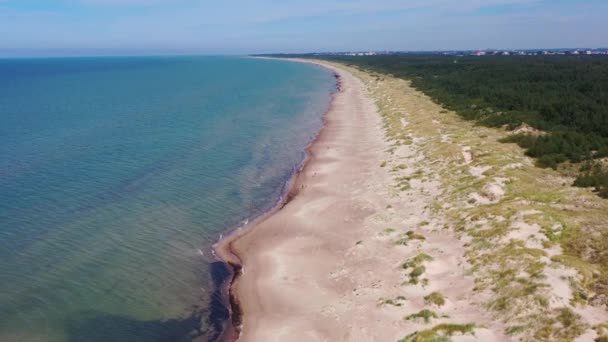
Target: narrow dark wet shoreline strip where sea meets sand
x,y
223,249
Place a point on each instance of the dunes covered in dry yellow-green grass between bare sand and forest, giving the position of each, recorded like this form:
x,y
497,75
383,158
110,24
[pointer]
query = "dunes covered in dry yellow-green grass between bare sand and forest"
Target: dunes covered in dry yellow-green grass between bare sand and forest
x,y
517,219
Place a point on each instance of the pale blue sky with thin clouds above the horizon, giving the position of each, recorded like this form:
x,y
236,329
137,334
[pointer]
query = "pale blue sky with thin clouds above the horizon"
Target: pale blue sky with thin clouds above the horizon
x,y
265,26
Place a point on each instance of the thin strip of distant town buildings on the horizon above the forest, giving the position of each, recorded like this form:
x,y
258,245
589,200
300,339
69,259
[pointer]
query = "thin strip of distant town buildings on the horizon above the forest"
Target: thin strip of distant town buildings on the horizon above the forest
x,y
487,52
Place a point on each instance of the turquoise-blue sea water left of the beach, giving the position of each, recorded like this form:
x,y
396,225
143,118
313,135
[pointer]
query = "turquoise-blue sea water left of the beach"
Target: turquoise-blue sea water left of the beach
x,y
118,174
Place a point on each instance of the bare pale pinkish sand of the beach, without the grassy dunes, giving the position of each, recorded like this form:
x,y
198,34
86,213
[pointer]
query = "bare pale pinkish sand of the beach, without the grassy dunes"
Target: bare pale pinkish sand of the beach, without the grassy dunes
x,y
317,269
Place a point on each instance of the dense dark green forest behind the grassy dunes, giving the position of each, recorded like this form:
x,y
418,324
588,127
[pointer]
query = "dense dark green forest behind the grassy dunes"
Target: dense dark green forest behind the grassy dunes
x,y
560,102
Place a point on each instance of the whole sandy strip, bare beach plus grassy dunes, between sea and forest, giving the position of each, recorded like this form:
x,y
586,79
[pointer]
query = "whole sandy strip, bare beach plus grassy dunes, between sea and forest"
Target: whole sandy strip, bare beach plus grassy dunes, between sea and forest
x,y
408,223
